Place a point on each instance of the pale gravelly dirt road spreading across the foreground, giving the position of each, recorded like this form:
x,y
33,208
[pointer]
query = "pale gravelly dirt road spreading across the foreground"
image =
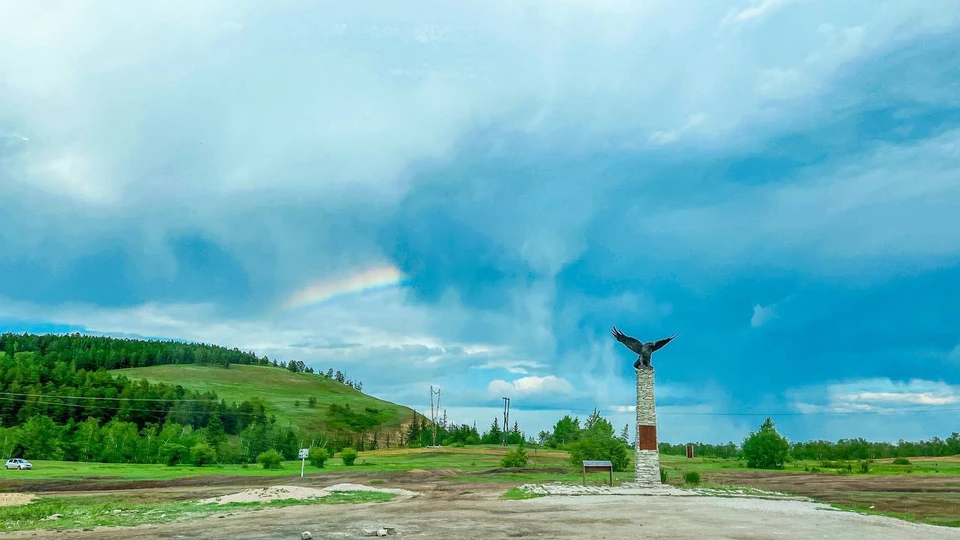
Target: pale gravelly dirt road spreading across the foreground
x,y
474,511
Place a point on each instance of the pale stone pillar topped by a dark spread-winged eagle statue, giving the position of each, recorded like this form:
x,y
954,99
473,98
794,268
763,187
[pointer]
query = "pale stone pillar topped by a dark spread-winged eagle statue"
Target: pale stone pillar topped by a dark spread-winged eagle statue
x,y
647,466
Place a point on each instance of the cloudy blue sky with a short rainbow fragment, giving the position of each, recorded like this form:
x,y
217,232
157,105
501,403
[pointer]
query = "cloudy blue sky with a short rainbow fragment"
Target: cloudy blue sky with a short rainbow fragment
x,y
471,196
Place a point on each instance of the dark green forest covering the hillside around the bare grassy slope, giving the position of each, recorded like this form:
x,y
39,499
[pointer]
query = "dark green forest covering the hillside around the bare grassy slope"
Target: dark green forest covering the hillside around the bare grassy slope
x,y
59,401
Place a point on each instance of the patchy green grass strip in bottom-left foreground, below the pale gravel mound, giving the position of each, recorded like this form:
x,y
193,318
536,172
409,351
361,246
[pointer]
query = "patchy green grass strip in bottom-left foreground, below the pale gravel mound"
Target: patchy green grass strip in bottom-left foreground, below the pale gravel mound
x,y
98,511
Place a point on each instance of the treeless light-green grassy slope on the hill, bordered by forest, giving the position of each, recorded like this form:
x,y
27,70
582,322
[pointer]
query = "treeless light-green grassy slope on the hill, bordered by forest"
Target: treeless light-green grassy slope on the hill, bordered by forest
x,y
279,388
